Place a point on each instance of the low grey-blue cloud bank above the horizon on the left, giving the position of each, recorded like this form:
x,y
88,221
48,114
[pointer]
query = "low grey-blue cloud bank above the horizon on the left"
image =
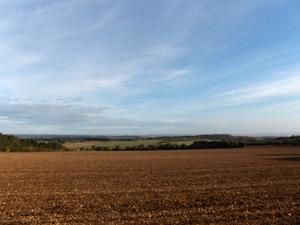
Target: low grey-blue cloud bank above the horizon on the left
x,y
69,119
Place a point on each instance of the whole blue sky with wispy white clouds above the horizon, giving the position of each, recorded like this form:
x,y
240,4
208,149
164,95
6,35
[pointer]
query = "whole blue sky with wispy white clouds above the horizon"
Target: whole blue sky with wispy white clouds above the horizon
x,y
141,67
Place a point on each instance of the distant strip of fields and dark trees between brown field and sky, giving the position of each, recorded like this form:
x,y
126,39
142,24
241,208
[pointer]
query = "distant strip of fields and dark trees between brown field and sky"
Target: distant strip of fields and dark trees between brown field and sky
x,y
9,143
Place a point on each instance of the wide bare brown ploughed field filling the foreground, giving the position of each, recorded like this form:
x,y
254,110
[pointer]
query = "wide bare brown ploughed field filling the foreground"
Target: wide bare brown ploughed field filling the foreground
x,y
259,185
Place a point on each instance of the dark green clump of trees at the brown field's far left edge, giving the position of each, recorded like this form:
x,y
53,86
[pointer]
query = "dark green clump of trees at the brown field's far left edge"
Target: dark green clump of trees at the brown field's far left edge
x,y
10,143
